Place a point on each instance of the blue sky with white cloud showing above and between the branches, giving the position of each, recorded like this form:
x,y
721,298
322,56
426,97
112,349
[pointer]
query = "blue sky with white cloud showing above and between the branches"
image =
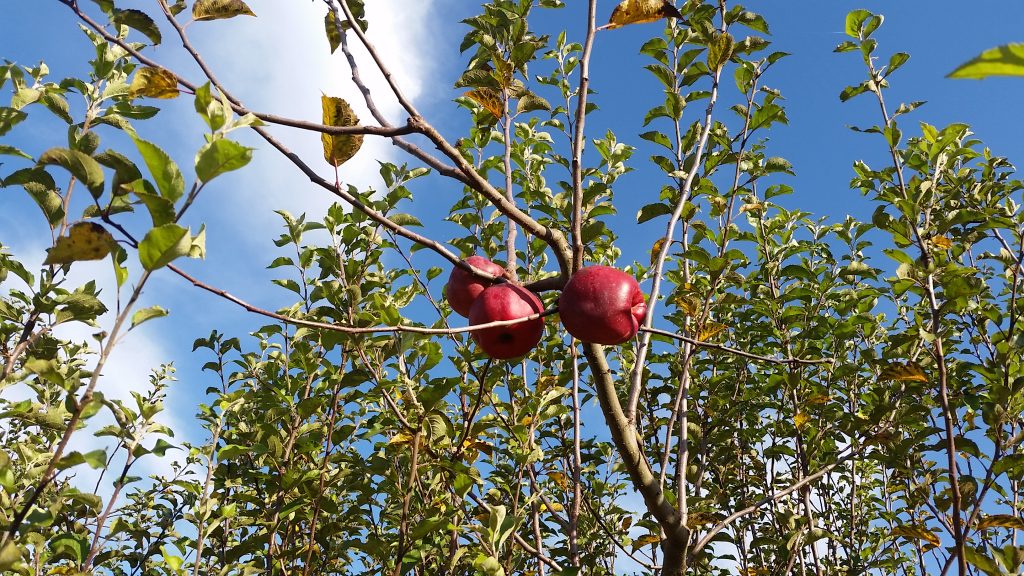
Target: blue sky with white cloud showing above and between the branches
x,y
278,63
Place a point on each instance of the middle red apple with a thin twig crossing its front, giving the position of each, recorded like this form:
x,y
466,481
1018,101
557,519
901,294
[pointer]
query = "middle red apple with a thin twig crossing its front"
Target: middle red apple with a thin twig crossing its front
x,y
507,302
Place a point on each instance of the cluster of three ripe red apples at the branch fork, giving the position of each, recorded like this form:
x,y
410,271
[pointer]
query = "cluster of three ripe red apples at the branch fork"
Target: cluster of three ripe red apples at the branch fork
x,y
600,305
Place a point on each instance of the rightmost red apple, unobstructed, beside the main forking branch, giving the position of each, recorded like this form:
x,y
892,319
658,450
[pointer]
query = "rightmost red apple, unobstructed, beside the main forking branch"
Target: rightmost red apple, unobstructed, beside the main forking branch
x,y
603,306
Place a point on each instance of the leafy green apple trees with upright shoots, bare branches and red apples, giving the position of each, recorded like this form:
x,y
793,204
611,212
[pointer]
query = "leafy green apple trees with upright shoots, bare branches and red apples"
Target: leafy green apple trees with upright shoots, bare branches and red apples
x,y
782,394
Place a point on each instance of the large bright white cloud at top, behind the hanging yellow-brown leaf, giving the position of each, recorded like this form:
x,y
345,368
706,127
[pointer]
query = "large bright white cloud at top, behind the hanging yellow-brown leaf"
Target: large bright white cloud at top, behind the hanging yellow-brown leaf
x,y
280,63
